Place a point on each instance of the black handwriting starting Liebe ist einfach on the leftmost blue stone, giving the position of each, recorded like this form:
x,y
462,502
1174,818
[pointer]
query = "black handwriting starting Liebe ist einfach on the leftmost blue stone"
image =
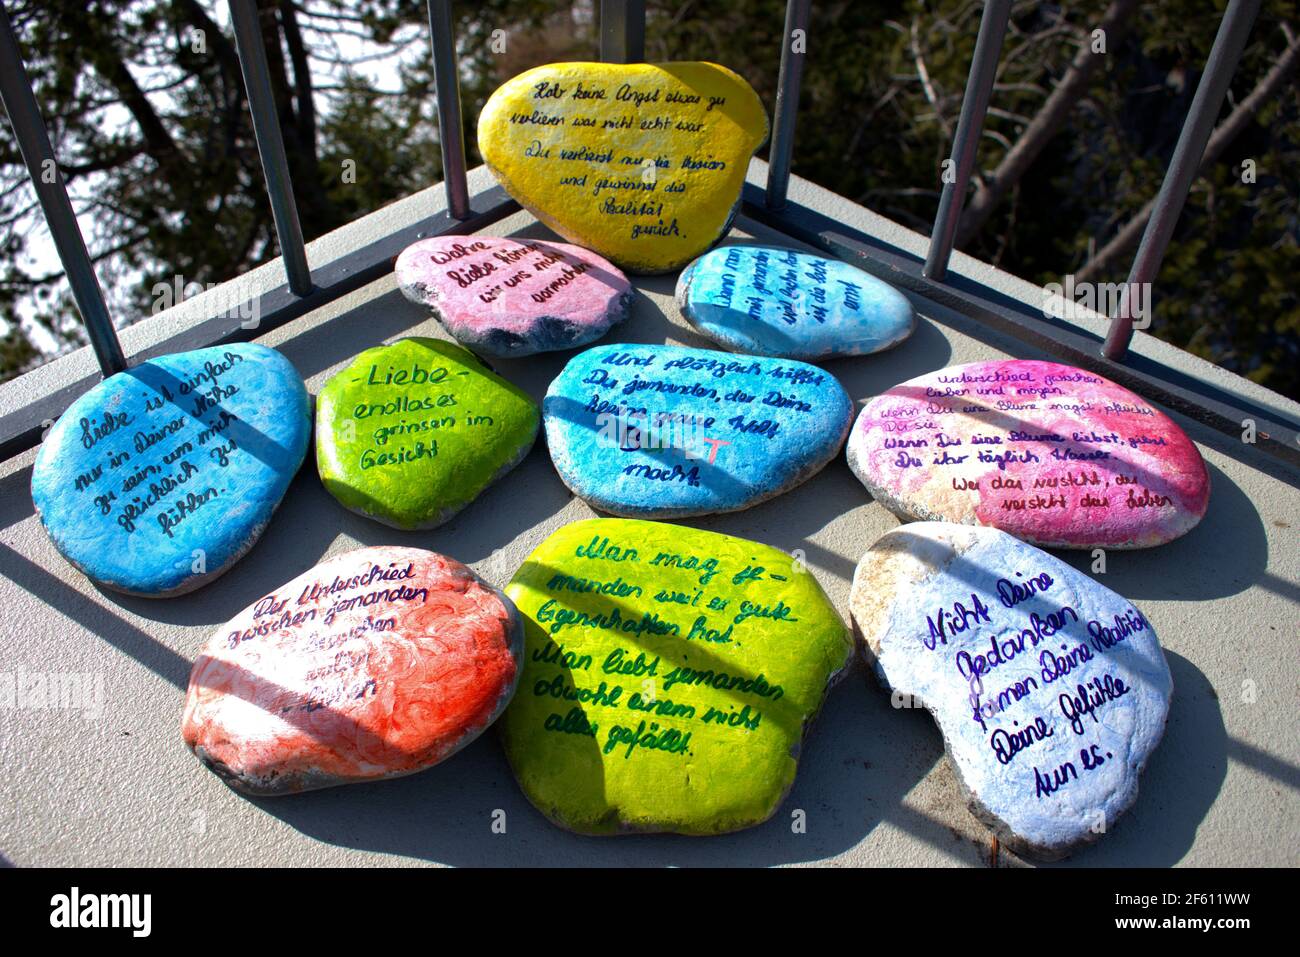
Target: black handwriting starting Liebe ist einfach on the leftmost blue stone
x,y
168,448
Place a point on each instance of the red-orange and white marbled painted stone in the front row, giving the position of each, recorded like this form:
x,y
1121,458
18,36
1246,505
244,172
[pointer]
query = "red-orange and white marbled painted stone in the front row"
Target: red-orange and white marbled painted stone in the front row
x,y
374,665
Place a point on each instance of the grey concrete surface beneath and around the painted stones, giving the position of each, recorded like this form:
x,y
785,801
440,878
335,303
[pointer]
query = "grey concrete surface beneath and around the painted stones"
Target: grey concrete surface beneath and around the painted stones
x,y
120,789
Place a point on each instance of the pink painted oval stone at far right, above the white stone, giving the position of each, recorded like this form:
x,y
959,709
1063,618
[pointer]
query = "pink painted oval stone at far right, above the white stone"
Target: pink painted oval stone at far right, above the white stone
x,y
1050,453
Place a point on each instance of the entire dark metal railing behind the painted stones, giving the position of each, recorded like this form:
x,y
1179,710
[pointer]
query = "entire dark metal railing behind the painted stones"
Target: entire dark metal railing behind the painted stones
x,y
622,33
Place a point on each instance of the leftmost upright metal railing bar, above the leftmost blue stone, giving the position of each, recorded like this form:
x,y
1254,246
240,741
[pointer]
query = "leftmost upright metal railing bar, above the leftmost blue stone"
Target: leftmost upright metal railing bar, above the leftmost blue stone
x,y
38,155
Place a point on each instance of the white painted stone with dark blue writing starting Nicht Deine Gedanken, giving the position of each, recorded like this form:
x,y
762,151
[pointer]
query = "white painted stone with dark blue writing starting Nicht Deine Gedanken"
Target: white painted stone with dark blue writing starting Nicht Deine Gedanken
x,y
1050,690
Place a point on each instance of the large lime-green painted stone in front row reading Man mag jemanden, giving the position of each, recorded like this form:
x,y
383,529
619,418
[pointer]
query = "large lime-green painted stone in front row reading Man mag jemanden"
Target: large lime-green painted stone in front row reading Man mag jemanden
x,y
669,677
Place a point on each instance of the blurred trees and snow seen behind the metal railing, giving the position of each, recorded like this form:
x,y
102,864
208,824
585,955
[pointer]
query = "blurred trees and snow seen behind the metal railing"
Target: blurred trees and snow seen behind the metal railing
x,y
145,103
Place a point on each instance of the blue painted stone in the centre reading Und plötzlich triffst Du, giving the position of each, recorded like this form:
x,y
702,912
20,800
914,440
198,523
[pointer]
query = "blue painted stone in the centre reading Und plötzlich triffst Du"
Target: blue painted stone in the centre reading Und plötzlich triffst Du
x,y
651,431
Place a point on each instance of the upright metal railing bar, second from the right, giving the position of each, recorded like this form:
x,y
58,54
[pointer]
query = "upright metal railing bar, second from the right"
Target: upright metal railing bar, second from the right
x,y
970,125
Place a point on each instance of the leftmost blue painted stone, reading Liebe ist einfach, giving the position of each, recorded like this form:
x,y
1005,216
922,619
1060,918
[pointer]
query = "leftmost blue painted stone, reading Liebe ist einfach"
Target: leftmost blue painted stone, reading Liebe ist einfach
x,y
161,478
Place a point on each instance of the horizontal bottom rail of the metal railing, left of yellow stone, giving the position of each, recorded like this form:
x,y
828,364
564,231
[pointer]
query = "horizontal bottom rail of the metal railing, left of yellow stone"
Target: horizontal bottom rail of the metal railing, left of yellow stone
x,y
21,430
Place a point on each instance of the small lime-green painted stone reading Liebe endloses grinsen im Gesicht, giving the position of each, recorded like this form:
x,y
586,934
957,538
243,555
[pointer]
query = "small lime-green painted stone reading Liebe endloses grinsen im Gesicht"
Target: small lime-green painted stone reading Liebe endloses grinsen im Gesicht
x,y
411,434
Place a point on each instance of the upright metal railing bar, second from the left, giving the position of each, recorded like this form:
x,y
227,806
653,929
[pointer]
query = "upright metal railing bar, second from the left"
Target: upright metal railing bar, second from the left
x,y
271,144
